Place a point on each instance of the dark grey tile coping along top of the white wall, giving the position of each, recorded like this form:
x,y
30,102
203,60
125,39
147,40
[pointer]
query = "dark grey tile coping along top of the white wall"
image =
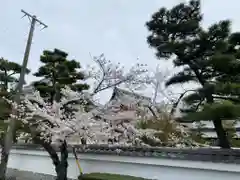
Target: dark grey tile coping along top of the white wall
x,y
194,154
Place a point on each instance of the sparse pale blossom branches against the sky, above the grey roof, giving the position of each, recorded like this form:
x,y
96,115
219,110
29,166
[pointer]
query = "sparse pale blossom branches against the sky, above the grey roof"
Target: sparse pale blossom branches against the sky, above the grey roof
x,y
107,75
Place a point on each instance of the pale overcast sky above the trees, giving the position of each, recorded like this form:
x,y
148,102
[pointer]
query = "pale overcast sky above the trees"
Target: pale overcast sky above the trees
x,y
79,27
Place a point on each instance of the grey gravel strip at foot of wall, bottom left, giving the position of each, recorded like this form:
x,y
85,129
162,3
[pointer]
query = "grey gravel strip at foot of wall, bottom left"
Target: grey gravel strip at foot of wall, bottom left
x,y
14,174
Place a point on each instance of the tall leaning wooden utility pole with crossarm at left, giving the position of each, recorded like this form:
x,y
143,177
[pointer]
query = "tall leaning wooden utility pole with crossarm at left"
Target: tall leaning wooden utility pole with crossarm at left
x,y
18,91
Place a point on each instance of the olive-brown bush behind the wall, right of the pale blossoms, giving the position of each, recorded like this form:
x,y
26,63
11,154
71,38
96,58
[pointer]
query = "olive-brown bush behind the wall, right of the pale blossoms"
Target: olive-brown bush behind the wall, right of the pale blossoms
x,y
170,132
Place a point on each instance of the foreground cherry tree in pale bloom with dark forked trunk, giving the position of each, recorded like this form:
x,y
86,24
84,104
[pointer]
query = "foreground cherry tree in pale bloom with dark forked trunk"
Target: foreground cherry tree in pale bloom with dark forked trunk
x,y
56,125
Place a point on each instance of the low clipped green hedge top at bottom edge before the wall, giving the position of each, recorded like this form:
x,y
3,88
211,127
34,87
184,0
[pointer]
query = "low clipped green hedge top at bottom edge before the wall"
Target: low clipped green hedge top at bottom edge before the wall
x,y
105,176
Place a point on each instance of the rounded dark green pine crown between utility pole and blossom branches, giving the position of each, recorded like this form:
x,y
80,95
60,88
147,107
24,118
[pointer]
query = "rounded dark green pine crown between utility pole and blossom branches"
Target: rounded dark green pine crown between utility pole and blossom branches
x,y
58,72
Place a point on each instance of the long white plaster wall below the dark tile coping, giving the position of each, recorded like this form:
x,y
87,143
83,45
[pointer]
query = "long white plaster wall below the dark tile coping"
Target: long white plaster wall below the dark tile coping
x,y
153,168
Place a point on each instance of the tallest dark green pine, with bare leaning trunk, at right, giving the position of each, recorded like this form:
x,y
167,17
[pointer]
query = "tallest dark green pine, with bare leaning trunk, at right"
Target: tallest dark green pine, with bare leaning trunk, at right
x,y
177,34
